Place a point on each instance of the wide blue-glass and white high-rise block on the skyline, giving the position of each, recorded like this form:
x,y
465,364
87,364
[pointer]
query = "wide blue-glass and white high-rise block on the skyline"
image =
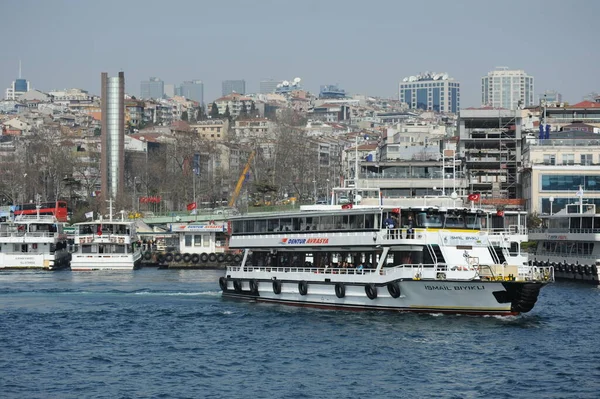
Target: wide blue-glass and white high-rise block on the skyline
x,y
431,91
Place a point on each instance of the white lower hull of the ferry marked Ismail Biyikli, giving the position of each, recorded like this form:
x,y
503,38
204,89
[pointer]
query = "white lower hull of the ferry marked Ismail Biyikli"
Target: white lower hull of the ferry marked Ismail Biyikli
x,y
452,297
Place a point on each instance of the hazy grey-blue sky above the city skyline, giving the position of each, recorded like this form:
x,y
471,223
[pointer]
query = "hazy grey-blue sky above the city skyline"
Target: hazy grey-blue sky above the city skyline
x,y
365,46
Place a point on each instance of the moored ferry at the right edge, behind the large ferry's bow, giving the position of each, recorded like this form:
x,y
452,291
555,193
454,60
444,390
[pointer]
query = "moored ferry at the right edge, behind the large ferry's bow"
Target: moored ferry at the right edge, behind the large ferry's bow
x,y
570,242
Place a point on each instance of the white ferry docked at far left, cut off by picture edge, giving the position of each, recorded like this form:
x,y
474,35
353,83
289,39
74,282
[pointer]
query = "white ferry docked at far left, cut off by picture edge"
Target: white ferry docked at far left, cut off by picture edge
x,y
33,242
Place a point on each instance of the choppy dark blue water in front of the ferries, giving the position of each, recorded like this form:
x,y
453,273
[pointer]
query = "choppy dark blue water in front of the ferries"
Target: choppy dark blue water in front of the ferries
x,y
169,334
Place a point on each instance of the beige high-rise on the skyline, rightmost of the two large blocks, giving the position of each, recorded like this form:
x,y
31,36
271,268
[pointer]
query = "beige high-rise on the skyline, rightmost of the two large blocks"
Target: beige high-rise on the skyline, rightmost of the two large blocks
x,y
508,89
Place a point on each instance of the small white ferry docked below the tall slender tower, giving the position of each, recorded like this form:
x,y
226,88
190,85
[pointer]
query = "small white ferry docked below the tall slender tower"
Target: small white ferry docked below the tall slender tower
x,y
106,245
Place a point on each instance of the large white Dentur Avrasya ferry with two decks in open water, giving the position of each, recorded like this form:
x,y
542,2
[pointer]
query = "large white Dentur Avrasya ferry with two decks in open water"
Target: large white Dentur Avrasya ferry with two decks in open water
x,y
435,258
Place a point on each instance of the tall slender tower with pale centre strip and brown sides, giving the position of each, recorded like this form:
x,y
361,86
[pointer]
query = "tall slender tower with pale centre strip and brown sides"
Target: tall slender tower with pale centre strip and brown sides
x,y
112,156
